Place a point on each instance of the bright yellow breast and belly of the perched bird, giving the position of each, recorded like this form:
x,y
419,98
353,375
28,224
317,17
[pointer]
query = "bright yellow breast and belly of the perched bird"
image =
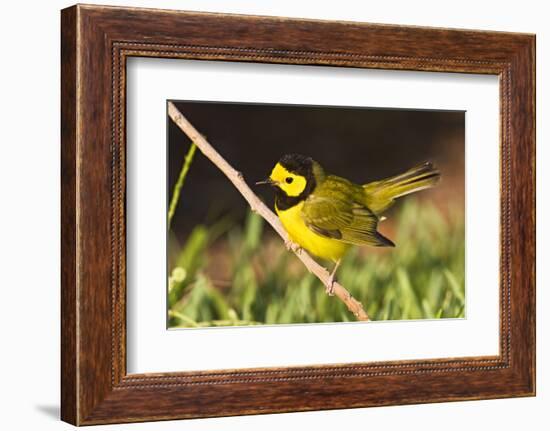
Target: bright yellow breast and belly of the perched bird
x,y
320,246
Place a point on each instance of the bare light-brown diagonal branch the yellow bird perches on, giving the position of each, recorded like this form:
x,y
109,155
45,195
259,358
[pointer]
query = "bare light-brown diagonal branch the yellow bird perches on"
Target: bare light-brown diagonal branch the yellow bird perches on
x,y
259,207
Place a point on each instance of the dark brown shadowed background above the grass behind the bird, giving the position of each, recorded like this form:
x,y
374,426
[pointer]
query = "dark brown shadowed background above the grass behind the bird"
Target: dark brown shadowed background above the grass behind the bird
x,y
361,144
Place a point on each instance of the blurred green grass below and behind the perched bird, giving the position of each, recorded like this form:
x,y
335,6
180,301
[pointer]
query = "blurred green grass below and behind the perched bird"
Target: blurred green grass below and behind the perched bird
x,y
421,278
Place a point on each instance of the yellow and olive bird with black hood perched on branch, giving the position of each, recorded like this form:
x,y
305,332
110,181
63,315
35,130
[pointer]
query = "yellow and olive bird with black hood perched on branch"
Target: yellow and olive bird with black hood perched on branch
x,y
327,214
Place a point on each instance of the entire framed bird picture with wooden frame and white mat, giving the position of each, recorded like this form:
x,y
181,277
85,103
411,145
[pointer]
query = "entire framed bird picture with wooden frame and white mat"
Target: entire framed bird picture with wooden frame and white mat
x,y
325,214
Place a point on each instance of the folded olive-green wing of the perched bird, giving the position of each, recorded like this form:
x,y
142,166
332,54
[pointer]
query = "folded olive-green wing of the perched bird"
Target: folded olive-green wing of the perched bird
x,y
339,217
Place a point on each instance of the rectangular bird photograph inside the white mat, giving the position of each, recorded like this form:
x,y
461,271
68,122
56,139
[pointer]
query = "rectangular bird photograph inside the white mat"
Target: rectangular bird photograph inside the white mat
x,y
376,196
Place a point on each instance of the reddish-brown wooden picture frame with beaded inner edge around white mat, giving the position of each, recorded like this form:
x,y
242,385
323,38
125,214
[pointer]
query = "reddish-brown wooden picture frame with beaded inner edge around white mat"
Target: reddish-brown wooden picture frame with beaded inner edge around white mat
x,y
96,41
